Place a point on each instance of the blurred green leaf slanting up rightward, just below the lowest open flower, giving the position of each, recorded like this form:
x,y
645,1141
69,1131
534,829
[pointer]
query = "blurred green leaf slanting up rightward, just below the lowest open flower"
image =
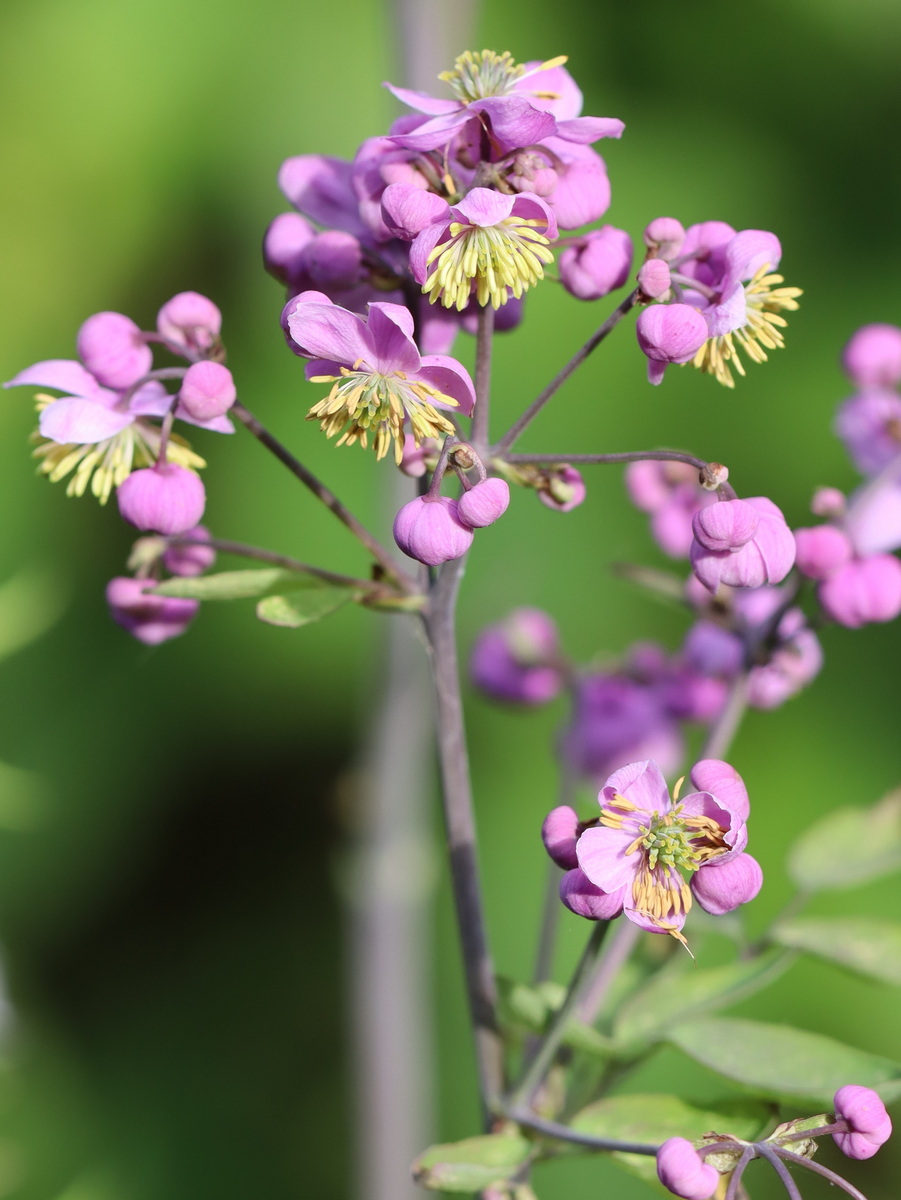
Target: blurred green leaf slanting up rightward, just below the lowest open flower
x,y
670,998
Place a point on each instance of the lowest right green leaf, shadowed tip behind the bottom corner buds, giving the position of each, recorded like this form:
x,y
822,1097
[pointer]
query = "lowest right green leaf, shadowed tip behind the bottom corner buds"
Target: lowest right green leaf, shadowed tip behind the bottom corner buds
x,y
653,1119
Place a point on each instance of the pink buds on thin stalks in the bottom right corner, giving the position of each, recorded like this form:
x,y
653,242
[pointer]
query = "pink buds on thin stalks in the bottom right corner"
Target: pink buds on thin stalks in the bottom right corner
x,y
858,1126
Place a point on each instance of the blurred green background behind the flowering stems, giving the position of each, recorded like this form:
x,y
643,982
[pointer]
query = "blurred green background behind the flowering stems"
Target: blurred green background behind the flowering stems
x,y
173,837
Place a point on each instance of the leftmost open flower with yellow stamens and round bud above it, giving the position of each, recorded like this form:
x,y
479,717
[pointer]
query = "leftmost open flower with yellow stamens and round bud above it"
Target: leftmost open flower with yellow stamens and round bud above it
x,y
103,429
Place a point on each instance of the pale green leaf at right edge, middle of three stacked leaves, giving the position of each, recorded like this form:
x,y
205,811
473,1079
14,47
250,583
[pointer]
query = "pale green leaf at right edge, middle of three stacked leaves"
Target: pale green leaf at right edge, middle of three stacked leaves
x,y
870,946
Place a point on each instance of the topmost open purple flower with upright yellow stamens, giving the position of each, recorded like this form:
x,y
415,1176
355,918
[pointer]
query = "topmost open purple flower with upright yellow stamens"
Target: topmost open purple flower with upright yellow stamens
x,y
512,105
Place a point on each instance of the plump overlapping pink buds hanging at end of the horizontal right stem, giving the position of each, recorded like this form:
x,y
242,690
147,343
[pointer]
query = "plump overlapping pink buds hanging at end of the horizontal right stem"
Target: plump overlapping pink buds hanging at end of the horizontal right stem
x,y
742,544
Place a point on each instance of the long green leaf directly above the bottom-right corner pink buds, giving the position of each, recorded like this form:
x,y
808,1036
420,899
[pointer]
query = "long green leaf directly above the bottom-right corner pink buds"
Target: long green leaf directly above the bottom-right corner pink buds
x,y
784,1064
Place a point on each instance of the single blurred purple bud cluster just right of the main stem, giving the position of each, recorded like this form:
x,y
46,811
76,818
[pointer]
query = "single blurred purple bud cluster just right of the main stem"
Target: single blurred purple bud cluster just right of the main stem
x,y
519,661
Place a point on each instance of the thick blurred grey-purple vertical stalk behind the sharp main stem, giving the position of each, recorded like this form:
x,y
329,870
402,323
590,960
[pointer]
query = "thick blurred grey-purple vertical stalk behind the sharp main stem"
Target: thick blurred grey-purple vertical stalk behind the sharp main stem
x,y
389,986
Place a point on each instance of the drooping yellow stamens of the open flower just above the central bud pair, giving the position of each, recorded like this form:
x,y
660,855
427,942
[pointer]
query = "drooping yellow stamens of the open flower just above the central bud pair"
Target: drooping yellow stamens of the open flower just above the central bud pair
x,y
364,403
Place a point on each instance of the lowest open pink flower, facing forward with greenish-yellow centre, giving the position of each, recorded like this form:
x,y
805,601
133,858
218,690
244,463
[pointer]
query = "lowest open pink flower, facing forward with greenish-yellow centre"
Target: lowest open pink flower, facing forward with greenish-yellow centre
x,y
645,842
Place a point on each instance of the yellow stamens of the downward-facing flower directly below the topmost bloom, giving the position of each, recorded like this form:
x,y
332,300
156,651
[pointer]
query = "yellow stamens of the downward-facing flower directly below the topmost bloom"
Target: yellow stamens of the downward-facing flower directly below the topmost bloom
x,y
501,260
